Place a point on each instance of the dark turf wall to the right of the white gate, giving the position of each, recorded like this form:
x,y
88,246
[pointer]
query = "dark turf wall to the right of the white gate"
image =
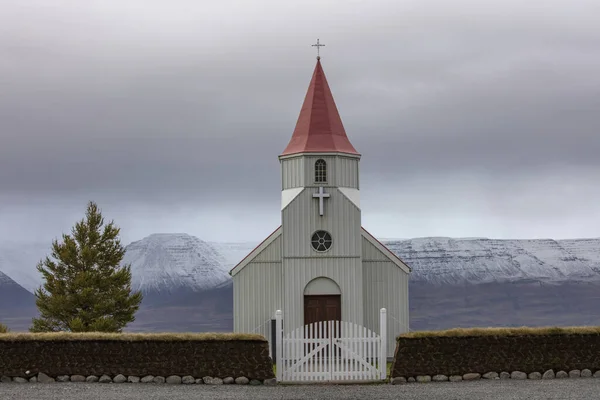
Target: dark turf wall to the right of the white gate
x,y
459,355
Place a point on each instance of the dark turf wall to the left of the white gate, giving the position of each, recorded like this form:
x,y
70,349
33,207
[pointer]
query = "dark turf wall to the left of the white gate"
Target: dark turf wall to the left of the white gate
x,y
140,357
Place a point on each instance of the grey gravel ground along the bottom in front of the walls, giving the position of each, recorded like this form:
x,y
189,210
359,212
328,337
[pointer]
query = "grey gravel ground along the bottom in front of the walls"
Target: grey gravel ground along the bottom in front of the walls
x,y
563,389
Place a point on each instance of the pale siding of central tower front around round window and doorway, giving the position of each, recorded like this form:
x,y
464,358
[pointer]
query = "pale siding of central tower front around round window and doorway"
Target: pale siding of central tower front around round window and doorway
x,y
342,263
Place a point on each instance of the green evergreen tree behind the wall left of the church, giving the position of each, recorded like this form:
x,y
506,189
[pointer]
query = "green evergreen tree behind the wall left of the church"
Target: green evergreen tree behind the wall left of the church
x,y
86,289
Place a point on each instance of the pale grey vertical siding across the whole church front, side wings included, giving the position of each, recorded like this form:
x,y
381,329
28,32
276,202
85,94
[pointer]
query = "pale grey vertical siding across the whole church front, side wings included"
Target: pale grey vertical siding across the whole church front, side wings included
x,y
277,276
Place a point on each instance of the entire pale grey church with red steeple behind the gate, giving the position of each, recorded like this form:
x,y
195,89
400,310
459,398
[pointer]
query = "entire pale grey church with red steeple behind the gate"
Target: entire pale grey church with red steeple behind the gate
x,y
320,264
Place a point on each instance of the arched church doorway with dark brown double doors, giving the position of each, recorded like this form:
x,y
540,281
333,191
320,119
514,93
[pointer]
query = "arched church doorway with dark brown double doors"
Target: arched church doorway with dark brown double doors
x,y
322,301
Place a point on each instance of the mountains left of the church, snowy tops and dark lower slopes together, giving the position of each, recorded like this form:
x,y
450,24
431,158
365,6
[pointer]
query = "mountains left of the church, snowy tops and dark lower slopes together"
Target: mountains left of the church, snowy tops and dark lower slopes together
x,y
185,281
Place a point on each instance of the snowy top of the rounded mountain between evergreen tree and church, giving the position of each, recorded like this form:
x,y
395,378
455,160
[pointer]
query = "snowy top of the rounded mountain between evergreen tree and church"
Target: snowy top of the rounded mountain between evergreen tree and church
x,y
163,262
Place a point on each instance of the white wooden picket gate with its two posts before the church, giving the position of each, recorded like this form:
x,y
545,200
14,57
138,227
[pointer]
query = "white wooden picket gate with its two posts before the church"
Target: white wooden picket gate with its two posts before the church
x,y
331,351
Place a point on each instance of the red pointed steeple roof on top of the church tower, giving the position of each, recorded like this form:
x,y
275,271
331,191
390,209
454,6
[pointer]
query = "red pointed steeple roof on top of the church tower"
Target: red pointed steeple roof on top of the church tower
x,y
319,127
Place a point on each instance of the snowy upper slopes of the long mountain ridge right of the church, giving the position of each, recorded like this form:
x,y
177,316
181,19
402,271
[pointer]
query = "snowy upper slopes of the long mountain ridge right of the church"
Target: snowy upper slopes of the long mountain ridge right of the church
x,y
441,260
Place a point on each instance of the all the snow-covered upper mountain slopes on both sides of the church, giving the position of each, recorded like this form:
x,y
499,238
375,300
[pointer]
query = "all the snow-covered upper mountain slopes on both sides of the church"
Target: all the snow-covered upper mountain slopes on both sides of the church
x,y
162,261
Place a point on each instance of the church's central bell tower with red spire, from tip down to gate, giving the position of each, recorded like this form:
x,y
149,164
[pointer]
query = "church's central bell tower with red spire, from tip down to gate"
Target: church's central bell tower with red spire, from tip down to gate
x,y
320,212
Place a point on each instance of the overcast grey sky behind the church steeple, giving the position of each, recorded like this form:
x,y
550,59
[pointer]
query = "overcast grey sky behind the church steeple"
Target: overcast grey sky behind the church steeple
x,y
473,118
